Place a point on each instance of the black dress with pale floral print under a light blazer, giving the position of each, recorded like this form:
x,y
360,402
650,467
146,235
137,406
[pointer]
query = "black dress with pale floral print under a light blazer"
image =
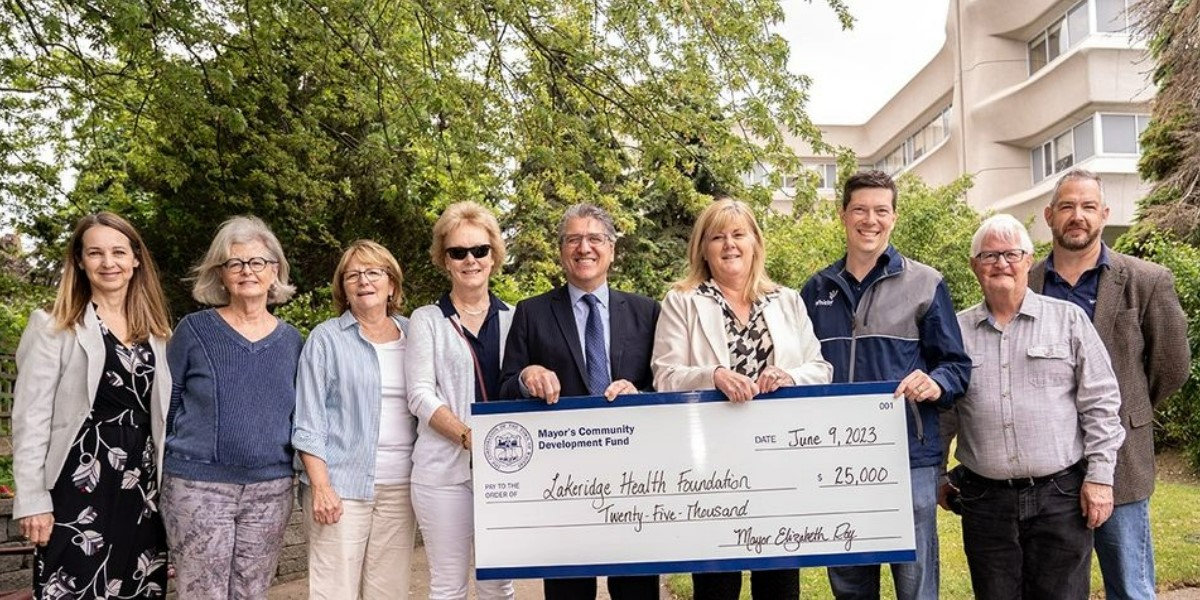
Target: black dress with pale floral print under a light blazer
x,y
109,539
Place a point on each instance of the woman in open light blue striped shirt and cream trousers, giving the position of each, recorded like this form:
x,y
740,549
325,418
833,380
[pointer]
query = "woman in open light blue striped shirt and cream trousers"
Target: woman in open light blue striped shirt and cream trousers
x,y
355,435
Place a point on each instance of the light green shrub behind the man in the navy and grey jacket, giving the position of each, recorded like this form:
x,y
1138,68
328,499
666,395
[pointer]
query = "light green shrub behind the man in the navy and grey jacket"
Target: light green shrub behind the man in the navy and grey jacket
x,y
934,226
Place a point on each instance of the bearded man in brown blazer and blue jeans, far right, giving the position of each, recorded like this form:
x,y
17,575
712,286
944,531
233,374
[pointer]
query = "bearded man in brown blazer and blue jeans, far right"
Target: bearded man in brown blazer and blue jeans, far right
x,y
1138,316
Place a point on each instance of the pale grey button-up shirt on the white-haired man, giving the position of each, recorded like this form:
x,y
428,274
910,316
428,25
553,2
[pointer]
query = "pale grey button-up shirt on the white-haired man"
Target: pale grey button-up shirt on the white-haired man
x,y
1042,395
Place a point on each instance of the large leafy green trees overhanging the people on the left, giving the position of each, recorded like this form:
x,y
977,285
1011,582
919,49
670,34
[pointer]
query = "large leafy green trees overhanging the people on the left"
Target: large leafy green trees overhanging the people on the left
x,y
351,119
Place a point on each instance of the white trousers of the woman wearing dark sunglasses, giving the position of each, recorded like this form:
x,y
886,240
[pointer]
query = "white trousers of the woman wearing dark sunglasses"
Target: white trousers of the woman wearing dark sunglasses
x,y
448,524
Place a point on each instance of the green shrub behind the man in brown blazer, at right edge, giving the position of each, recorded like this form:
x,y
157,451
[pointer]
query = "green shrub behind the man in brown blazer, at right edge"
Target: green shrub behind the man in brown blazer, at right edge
x,y
1179,418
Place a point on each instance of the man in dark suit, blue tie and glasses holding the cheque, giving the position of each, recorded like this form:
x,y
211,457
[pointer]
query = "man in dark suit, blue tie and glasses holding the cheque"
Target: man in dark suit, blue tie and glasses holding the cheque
x,y
584,340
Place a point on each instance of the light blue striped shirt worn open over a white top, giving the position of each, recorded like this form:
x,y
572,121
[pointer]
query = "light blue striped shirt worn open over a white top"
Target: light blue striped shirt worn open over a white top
x,y
339,399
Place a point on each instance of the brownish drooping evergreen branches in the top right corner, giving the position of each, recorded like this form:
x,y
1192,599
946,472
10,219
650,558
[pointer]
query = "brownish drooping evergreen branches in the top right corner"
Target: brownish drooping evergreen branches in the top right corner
x,y
1172,143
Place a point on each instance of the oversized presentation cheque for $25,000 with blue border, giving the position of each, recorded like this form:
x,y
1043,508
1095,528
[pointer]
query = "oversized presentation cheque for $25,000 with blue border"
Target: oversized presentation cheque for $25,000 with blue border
x,y
677,483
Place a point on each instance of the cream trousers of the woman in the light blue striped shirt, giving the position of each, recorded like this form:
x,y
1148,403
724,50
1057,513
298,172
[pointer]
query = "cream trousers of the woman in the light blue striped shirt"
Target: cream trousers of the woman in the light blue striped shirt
x,y
369,553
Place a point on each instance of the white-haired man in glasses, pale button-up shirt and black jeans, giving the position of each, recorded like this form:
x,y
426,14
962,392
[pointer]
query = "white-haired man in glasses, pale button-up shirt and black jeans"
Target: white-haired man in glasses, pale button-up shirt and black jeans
x,y
1039,430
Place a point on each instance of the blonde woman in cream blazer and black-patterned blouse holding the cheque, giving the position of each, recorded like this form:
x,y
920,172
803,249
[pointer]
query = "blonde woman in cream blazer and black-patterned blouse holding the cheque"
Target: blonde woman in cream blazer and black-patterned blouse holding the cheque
x,y
727,326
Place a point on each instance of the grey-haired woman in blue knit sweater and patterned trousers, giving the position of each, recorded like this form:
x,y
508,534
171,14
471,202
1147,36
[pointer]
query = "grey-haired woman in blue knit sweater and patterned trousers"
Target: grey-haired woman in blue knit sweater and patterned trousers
x,y
227,472
